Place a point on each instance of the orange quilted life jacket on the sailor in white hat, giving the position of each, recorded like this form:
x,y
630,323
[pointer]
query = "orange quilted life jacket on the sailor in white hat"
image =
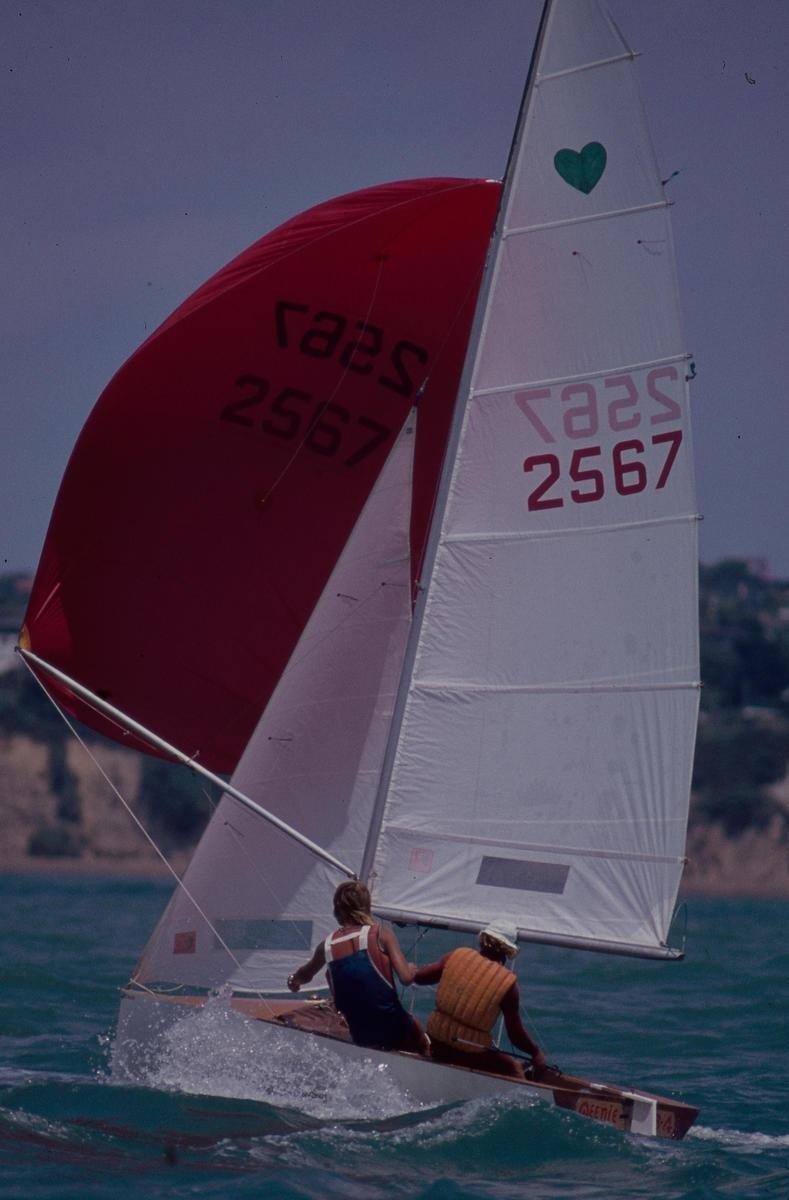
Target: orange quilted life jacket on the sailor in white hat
x,y
468,1000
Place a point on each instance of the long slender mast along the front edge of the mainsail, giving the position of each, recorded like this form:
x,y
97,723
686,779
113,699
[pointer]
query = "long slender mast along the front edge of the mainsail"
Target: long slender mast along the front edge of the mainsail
x,y
465,389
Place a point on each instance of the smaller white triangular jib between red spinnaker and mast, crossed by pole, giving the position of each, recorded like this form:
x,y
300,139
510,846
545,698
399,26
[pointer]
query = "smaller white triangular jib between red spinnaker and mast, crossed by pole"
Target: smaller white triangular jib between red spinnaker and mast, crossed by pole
x,y
315,761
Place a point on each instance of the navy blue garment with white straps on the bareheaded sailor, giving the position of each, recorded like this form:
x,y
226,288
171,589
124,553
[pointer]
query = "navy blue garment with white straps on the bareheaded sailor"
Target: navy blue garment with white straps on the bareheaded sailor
x,y
364,994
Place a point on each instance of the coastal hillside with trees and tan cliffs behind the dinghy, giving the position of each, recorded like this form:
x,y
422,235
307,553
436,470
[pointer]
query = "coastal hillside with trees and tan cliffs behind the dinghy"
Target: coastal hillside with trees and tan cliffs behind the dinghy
x,y
62,811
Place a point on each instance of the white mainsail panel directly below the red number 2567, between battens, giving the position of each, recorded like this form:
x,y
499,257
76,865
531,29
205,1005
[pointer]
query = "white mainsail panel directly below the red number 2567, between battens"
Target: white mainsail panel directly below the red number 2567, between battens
x,y
628,604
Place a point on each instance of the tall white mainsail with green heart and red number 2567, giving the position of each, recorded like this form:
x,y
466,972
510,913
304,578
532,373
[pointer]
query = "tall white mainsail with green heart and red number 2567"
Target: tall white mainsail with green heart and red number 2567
x,y
543,751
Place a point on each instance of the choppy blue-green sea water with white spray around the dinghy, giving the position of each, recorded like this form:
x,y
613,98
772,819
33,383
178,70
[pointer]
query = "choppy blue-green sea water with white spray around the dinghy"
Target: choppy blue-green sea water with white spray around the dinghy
x,y
219,1119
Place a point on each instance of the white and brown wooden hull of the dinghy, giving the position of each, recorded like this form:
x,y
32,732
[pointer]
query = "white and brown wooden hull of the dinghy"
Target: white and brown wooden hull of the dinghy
x,y
146,1017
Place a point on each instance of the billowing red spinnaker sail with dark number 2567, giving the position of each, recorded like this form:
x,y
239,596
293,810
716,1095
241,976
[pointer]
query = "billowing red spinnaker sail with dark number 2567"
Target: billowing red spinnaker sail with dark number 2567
x,y
224,467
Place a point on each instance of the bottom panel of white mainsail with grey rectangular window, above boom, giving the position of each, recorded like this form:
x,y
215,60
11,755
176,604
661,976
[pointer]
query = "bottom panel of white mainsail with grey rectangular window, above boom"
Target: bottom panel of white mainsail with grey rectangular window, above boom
x,y
606,899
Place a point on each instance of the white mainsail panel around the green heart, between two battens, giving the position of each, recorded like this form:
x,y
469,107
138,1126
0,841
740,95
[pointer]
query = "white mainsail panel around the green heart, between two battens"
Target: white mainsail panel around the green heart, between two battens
x,y
592,107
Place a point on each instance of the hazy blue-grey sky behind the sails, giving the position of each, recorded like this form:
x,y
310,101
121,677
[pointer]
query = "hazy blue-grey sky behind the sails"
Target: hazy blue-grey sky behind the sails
x,y
144,143
